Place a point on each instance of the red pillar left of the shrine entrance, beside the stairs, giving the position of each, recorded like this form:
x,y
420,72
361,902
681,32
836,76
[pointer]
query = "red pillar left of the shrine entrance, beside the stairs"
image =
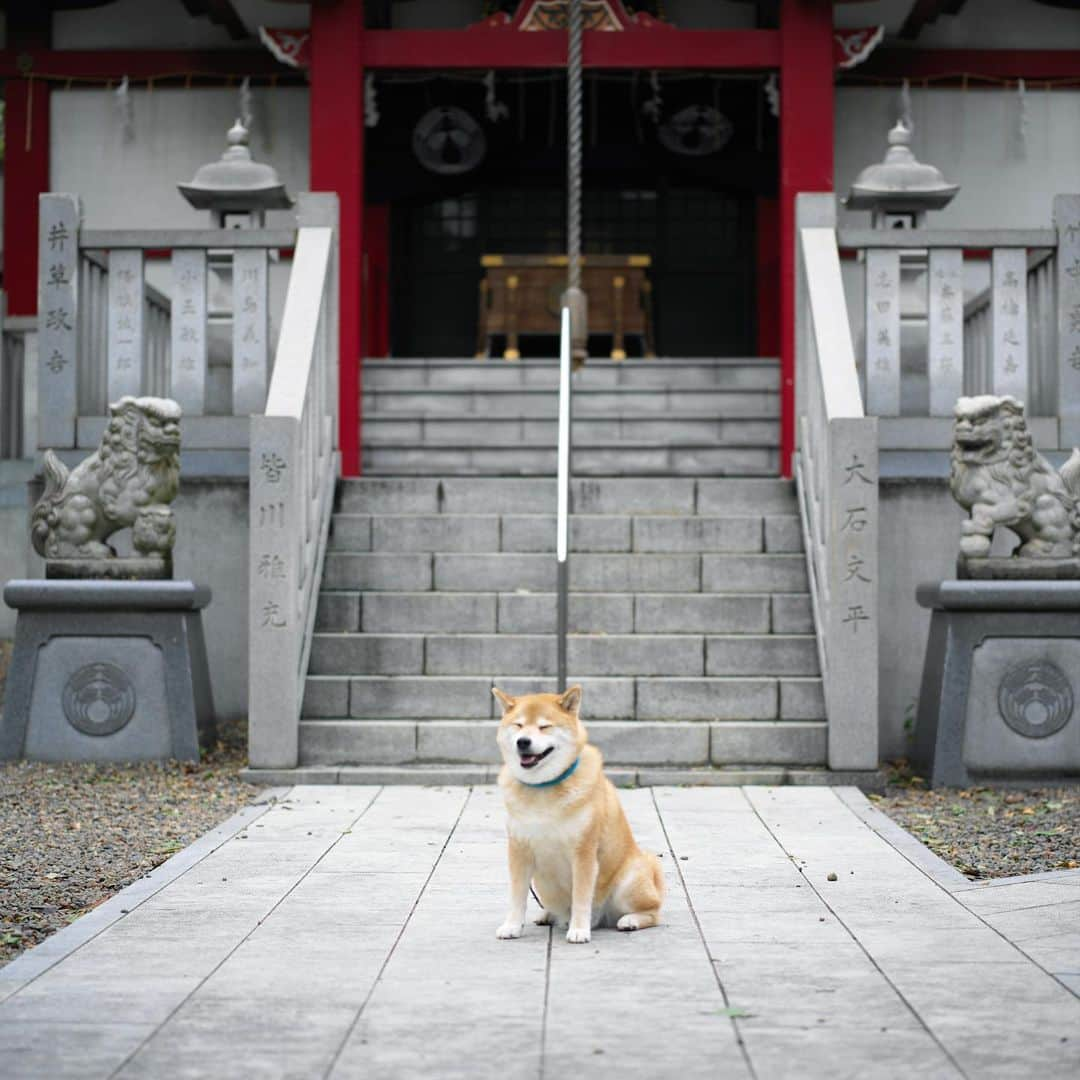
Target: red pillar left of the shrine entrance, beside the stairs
x,y
337,165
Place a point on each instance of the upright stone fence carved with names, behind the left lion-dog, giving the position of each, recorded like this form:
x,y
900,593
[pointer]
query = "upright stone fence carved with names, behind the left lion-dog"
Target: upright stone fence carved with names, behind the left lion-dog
x,y
105,331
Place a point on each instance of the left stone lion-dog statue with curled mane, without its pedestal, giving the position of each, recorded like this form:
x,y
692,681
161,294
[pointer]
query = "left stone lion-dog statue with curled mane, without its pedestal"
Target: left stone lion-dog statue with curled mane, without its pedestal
x,y
128,483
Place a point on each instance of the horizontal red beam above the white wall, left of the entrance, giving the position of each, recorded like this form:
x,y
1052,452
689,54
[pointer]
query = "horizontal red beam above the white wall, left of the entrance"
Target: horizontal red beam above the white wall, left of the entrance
x,y
139,64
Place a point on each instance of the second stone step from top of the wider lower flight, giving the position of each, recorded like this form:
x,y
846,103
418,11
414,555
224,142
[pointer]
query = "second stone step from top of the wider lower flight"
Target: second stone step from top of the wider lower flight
x,y
535,534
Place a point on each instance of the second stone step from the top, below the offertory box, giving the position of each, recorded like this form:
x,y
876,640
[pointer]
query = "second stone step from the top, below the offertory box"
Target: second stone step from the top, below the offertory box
x,y
541,403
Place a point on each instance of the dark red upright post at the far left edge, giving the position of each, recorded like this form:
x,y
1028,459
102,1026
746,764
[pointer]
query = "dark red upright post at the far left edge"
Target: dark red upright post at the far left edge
x,y
26,177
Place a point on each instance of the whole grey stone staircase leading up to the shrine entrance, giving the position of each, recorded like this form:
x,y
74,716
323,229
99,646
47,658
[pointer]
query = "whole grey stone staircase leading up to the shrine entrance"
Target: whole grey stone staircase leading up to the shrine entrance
x,y
692,630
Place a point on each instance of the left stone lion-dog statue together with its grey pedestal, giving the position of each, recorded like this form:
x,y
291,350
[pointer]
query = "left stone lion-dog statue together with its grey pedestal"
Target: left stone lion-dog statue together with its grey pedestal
x,y
107,666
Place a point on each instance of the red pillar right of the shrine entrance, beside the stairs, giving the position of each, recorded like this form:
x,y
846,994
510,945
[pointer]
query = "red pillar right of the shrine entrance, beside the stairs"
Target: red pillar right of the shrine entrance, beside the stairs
x,y
806,165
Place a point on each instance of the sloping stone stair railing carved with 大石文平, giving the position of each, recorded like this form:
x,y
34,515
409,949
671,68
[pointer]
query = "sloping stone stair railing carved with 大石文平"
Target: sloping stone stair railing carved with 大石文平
x,y
838,477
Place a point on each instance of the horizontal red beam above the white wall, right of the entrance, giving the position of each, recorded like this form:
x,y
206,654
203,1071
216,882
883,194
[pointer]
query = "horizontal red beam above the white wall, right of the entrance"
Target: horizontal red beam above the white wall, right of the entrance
x,y
975,63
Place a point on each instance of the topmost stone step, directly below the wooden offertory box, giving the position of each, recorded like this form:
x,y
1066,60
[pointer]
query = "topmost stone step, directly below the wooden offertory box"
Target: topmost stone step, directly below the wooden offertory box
x,y
438,374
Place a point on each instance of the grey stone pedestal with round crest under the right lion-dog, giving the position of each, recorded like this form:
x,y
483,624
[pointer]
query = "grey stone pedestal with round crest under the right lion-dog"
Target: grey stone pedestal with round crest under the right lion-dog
x,y
1001,695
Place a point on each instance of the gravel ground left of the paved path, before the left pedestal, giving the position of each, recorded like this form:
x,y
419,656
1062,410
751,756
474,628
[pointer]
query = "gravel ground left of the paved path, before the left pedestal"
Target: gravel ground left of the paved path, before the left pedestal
x,y
73,835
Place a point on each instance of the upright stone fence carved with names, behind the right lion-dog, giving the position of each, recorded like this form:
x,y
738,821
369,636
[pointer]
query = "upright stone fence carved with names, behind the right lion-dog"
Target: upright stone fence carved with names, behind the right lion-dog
x,y
1019,336
